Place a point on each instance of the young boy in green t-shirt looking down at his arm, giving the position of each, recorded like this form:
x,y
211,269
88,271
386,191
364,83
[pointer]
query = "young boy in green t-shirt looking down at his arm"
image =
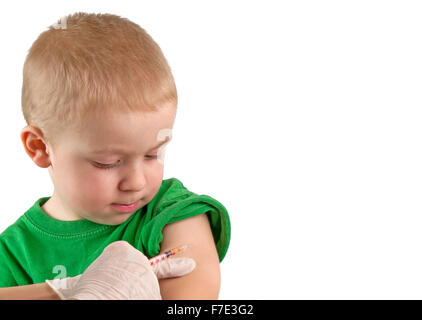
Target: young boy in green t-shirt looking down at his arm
x,y
100,101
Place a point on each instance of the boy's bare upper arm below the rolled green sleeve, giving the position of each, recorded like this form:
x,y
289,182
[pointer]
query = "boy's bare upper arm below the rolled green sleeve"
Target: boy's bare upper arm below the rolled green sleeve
x,y
204,281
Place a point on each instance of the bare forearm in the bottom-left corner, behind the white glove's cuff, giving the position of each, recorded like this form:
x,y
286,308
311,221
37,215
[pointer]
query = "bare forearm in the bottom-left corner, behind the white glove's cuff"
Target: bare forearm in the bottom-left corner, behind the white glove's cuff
x,y
39,291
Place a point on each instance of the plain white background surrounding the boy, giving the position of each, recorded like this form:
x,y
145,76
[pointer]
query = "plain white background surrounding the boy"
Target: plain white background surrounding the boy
x,y
302,117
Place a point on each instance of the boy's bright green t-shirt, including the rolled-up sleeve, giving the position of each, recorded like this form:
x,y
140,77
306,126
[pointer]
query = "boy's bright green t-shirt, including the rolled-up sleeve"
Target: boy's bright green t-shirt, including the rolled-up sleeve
x,y
38,247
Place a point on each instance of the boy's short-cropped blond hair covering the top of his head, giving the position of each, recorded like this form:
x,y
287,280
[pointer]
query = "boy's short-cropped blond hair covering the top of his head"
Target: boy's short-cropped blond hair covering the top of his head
x,y
96,63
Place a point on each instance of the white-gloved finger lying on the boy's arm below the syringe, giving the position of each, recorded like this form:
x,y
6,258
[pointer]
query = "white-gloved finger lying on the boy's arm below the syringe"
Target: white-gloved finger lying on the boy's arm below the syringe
x,y
173,267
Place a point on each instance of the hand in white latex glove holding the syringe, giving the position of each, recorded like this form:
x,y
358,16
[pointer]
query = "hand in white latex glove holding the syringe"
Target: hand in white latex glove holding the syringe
x,y
121,272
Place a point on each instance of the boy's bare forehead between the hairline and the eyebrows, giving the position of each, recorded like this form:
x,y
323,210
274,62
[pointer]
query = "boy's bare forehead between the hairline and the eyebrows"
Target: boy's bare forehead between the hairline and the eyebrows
x,y
132,131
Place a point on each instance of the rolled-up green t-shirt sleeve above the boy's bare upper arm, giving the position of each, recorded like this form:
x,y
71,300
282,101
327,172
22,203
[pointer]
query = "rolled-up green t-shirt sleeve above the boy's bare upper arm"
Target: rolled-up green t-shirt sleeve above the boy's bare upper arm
x,y
174,202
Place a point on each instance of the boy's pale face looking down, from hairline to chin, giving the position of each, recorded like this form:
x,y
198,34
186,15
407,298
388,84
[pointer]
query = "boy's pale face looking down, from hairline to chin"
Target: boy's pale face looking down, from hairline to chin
x,y
84,190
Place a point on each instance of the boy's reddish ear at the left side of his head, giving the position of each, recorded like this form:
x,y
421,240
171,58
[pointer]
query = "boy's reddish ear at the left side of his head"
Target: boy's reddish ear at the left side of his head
x,y
33,142
